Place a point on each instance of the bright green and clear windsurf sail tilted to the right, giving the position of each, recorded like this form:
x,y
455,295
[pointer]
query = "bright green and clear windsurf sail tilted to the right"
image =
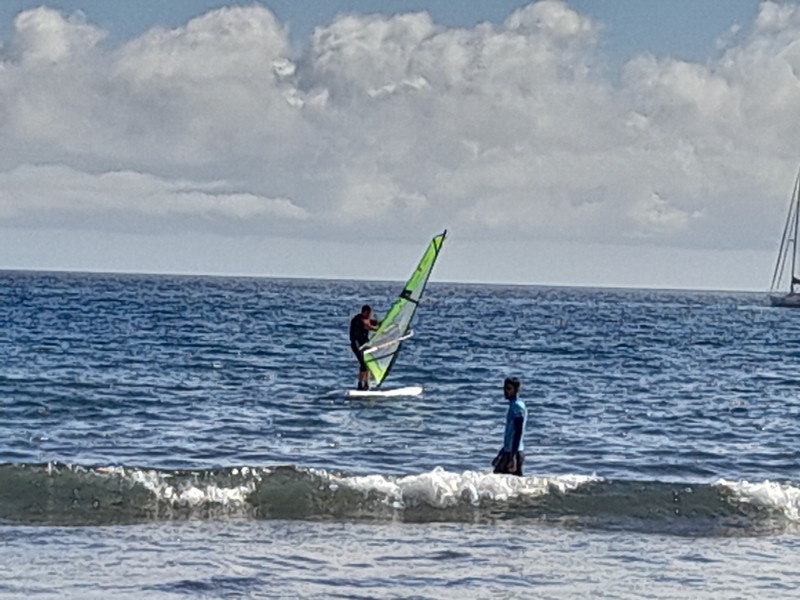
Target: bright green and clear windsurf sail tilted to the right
x,y
383,347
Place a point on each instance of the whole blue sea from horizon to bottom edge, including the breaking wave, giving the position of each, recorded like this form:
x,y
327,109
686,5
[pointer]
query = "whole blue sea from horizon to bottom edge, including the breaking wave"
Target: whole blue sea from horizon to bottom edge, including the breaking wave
x,y
172,437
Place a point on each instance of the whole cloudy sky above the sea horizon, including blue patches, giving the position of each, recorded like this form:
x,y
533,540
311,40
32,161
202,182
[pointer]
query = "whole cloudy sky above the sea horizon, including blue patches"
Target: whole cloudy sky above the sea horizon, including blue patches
x,y
616,143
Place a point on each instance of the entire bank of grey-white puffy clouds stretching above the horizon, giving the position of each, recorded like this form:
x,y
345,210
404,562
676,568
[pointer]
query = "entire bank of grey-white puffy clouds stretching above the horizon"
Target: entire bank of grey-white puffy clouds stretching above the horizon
x,y
516,128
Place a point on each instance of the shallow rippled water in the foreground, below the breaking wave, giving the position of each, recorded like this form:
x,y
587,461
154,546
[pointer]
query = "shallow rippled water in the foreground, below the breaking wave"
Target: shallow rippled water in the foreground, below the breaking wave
x,y
280,559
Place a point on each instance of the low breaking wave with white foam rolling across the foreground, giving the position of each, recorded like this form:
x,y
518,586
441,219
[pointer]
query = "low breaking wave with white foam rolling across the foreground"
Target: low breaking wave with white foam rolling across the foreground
x,y
62,494
